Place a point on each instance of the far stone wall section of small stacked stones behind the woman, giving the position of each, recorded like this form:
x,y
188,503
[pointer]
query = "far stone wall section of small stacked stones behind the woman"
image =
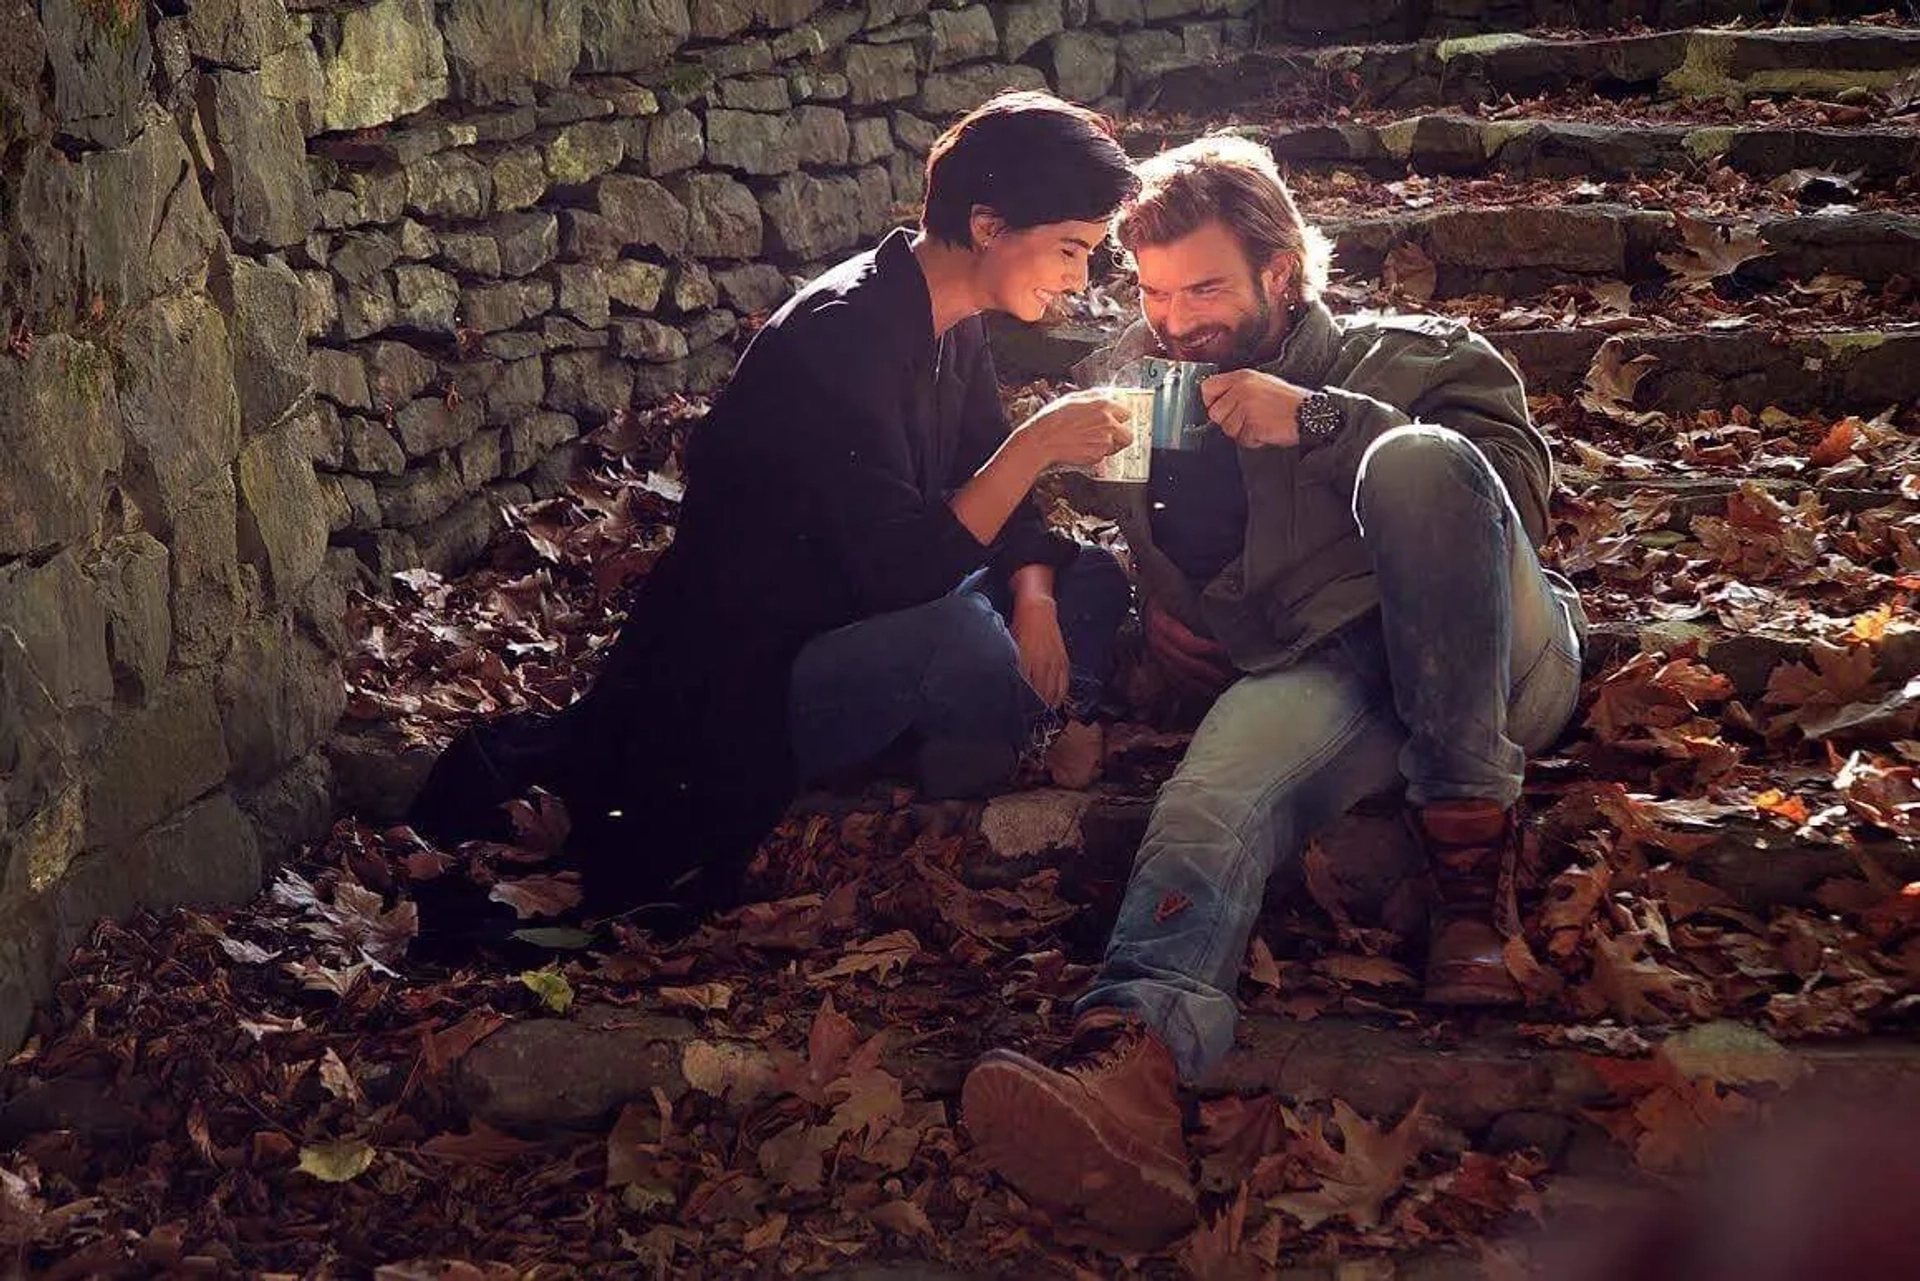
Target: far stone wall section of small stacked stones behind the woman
x,y
531,212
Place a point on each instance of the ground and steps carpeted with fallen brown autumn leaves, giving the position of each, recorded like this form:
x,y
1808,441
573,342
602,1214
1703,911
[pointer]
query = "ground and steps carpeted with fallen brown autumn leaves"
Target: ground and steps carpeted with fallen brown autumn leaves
x,y
279,1088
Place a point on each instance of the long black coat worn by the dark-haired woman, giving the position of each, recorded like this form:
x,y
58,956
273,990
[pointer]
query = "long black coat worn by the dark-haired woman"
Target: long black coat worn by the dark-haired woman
x,y
817,496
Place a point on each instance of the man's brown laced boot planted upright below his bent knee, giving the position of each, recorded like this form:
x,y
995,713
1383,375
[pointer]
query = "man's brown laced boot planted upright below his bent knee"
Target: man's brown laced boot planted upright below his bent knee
x,y
1472,850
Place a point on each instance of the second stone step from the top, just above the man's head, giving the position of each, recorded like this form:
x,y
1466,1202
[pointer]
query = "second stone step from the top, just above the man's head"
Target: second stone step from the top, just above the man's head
x,y
1443,143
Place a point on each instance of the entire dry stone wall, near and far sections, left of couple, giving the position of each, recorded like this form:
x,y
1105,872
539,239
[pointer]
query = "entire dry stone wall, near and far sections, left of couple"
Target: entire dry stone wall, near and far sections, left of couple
x,y
302,293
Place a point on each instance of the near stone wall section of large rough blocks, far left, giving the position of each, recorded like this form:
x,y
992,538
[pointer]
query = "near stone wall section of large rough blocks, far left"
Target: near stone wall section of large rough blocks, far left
x,y
168,637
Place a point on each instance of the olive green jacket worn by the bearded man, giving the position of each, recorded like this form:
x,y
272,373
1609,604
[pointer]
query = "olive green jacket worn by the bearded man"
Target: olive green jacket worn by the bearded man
x,y
1305,571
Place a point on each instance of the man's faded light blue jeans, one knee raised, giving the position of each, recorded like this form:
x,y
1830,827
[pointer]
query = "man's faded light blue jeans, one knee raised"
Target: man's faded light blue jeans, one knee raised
x,y
1472,662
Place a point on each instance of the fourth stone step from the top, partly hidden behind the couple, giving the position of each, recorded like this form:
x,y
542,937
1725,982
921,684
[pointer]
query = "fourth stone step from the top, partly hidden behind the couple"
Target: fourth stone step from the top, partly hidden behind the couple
x,y
1848,372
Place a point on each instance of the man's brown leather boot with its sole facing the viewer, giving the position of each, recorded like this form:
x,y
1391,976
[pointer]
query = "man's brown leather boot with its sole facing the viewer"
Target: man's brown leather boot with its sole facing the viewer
x,y
1101,1134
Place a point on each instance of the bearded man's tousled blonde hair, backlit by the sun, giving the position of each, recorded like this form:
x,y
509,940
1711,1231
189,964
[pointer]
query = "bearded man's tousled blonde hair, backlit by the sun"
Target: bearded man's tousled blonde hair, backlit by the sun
x,y
1228,180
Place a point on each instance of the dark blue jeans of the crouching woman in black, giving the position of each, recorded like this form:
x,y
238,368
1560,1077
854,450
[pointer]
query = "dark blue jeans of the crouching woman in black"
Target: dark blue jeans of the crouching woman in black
x,y
949,669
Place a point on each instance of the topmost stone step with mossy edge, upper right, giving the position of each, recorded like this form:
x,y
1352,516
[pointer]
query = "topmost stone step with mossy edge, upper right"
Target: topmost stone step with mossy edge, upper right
x,y
1819,62
